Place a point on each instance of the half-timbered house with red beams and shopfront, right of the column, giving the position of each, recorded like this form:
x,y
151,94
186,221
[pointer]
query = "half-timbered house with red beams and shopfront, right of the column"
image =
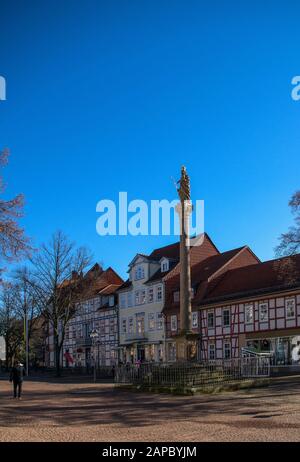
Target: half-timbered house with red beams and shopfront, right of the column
x,y
253,309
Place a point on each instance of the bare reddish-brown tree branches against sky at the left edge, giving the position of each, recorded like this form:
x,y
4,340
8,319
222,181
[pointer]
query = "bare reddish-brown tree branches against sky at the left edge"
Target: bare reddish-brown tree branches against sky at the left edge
x,y
13,242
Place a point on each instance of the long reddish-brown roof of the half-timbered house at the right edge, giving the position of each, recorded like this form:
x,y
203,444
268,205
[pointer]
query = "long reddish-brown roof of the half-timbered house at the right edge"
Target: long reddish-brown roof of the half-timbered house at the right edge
x,y
272,275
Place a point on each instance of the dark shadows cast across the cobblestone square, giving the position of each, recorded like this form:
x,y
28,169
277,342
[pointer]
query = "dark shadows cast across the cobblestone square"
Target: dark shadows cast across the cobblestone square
x,y
70,404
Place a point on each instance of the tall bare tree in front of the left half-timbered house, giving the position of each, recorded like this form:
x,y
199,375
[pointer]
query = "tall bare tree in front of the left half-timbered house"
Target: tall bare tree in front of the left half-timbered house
x,y
57,284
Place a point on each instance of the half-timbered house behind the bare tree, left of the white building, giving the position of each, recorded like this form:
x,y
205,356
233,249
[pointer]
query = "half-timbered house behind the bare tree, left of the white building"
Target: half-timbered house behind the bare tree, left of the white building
x,y
97,309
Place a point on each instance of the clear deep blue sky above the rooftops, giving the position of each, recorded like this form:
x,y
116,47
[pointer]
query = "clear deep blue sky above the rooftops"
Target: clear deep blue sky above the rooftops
x,y
109,96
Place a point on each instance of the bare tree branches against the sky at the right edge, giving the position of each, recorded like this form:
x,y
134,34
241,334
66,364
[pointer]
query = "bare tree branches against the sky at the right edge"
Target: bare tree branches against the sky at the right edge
x,y
290,241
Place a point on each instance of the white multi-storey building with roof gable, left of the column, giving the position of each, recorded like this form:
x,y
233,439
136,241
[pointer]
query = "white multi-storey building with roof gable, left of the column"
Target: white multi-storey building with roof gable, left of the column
x,y
141,301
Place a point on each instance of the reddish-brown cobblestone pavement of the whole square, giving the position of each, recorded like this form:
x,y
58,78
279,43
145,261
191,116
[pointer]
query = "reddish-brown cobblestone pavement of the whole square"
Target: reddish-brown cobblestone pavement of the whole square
x,y
67,411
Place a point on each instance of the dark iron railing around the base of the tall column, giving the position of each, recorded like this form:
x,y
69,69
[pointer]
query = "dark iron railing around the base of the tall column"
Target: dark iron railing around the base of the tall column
x,y
200,374
